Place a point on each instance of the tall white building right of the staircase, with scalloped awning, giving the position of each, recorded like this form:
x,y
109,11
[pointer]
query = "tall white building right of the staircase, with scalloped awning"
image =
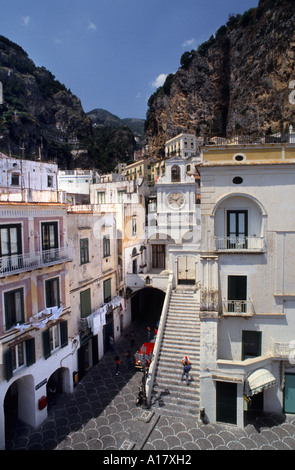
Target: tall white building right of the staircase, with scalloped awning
x,y
248,278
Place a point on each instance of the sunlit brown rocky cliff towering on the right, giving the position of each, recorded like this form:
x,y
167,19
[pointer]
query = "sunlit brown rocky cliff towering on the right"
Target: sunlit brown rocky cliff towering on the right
x,y
235,83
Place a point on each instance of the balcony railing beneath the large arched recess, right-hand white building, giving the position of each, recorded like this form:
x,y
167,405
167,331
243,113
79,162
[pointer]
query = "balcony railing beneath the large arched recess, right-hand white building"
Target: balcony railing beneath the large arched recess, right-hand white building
x,y
256,244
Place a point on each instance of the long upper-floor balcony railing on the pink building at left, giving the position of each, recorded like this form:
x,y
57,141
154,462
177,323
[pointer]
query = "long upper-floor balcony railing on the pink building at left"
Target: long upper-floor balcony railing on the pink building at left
x,y
10,265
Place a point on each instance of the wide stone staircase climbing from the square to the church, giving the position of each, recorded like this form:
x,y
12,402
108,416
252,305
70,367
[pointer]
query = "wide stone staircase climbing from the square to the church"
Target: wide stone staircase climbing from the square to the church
x,y
181,338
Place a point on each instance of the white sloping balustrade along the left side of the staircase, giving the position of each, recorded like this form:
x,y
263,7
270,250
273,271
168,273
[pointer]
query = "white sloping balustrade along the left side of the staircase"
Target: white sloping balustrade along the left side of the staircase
x,y
153,367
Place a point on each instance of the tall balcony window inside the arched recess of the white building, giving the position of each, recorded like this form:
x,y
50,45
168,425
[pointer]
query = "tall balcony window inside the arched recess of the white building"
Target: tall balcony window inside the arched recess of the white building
x,y
237,229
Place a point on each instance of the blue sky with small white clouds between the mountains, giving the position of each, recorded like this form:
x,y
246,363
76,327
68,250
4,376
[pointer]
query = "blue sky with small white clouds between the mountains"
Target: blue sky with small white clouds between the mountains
x,y
113,54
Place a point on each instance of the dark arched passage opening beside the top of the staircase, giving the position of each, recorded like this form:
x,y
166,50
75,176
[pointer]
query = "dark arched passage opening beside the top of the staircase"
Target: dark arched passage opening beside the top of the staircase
x,y
146,305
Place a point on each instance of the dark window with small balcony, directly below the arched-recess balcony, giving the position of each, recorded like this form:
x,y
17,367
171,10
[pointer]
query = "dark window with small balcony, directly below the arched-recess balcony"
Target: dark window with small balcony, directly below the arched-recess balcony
x,y
237,294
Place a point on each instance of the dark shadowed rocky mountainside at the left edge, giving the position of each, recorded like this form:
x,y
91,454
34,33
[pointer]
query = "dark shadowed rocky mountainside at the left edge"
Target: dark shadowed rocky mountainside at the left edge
x,y
37,113
